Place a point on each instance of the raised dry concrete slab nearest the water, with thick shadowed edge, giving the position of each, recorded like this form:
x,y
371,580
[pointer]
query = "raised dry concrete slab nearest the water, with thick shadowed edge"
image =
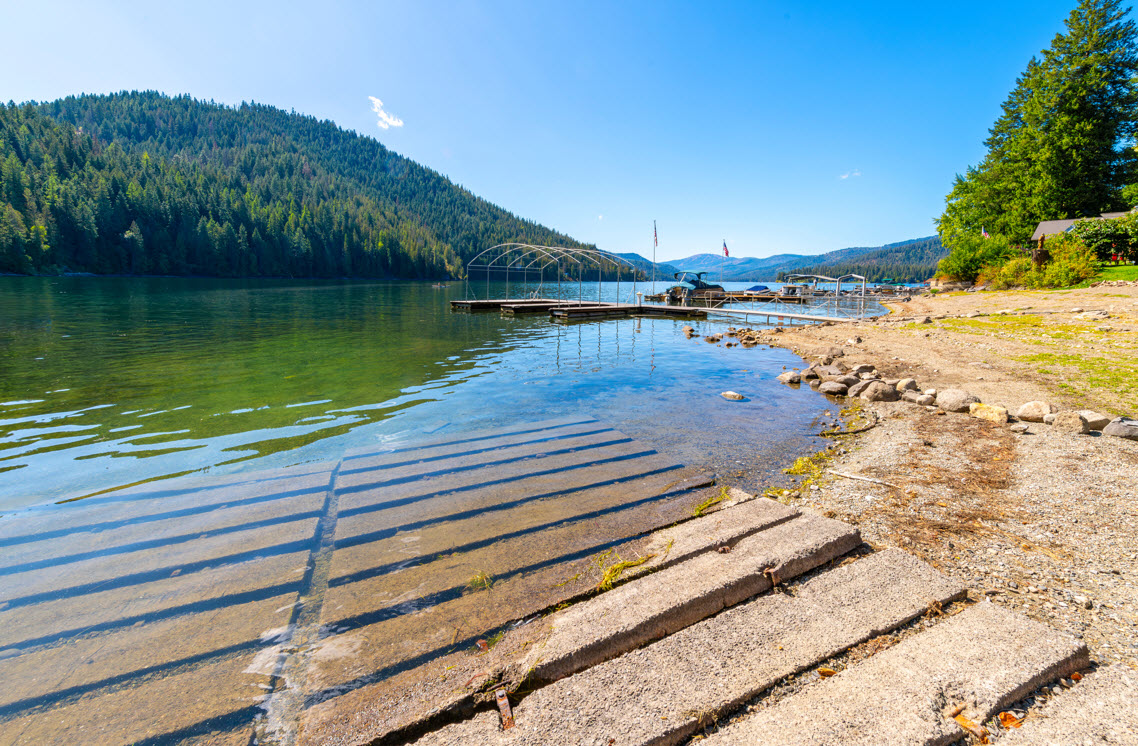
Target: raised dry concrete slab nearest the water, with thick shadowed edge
x,y
669,601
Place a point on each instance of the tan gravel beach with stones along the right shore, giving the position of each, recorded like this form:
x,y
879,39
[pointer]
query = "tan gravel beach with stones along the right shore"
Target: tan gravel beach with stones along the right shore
x,y
1005,480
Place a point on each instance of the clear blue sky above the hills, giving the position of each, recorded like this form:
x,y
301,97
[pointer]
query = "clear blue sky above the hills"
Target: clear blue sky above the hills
x,y
780,127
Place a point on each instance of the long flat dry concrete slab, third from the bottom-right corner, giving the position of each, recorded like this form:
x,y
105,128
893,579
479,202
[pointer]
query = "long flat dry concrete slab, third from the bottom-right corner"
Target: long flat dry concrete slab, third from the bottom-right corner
x,y
659,694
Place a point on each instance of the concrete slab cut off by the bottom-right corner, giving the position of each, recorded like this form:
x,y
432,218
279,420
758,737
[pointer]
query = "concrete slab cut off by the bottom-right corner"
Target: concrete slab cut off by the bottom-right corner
x,y
1102,709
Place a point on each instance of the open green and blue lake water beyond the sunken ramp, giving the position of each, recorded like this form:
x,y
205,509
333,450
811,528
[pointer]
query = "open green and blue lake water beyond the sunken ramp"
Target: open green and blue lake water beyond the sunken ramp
x,y
108,382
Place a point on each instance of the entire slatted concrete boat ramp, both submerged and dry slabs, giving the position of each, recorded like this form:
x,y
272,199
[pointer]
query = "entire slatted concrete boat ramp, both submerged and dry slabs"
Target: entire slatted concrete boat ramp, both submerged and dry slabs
x,y
395,595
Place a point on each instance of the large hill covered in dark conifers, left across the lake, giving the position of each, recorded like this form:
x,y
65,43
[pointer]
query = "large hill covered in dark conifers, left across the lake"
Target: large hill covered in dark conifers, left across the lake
x,y
144,184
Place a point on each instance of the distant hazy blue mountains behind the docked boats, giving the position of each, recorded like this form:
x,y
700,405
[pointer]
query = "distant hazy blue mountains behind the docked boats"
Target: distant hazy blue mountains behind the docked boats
x,y
908,261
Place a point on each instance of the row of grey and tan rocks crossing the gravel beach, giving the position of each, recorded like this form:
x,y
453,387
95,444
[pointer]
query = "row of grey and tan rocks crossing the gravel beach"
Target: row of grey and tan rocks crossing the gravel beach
x,y
832,377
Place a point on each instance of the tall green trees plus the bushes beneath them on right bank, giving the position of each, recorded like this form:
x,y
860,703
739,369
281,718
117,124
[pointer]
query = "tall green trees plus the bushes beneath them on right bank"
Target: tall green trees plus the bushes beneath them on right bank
x,y
1062,148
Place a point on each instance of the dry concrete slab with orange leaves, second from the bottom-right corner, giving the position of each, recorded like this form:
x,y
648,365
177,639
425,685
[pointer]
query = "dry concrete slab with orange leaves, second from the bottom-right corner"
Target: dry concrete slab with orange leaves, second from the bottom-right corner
x,y
984,659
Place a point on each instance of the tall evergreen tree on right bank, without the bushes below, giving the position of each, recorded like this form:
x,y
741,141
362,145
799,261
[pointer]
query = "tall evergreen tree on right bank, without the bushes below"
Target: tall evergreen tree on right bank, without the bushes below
x,y
1061,147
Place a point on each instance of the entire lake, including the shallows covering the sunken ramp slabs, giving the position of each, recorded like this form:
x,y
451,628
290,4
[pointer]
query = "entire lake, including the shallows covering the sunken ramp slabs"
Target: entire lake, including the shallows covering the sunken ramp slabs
x,y
227,501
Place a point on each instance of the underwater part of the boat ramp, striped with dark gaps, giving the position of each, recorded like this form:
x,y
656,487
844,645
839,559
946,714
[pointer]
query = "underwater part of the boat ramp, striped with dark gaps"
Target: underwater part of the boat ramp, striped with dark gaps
x,y
194,608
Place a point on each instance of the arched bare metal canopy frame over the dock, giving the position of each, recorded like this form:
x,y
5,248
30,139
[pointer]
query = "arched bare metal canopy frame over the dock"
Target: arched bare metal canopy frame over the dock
x,y
523,259
